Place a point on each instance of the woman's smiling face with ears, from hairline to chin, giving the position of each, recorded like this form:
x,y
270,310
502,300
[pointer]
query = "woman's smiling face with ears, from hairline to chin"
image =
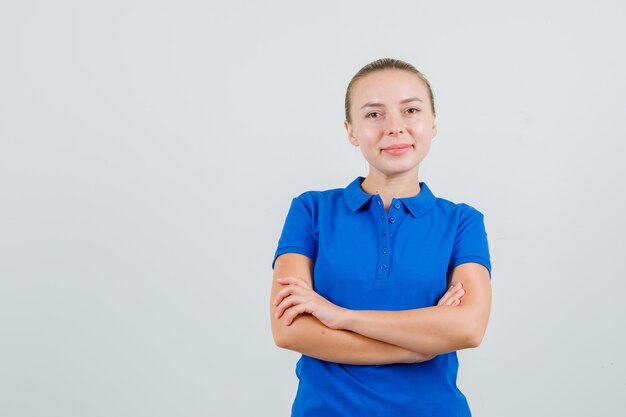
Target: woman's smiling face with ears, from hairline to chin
x,y
392,122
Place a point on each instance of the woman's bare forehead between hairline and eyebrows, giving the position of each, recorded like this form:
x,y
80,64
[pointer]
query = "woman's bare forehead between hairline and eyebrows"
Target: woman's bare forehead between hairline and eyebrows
x,y
389,85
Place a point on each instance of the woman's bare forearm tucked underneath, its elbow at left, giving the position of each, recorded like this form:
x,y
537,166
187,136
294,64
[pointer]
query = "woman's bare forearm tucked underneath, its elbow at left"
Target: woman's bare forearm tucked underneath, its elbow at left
x,y
310,337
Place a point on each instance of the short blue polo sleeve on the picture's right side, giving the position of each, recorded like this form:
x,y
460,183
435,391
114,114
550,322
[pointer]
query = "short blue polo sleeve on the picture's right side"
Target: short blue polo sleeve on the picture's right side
x,y
470,242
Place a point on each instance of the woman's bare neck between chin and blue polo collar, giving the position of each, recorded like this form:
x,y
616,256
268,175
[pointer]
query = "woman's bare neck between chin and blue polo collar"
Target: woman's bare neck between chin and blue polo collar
x,y
390,187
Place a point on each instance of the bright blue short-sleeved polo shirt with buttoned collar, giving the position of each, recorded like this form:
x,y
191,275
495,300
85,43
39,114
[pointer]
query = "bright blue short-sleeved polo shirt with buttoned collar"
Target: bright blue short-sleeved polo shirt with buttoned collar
x,y
368,259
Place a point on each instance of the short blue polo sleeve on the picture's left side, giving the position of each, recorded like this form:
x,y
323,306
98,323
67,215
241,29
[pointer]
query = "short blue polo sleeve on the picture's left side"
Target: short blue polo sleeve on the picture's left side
x,y
298,235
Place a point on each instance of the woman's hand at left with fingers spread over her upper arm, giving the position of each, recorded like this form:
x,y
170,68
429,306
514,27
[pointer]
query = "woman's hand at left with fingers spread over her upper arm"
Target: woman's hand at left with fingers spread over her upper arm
x,y
297,297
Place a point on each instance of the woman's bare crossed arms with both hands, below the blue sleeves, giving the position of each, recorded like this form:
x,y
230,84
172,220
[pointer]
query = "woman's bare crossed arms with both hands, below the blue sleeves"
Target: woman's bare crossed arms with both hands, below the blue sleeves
x,y
305,322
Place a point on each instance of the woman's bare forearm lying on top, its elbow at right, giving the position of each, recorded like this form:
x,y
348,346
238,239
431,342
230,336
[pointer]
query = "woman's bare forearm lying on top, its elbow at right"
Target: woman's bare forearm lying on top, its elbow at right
x,y
431,330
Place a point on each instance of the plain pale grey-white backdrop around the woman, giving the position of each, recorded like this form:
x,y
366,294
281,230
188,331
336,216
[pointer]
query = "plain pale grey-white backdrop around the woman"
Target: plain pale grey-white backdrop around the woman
x,y
149,151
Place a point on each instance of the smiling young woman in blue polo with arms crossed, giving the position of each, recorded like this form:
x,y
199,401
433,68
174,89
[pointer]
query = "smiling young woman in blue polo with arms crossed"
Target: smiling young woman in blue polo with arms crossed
x,y
380,283
